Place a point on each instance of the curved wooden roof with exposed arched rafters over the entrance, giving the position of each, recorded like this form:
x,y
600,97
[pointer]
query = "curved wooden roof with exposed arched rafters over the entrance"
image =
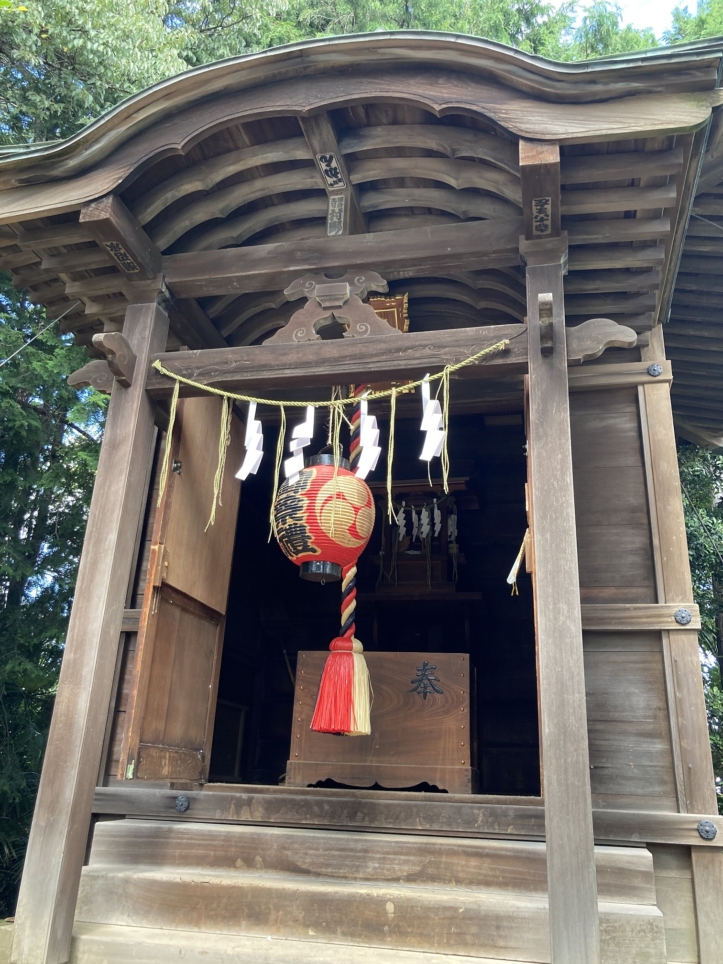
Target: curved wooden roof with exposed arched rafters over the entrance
x,y
426,127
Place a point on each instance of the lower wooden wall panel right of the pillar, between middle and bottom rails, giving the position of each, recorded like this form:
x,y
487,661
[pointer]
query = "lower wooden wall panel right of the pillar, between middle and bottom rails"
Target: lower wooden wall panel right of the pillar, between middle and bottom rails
x,y
630,752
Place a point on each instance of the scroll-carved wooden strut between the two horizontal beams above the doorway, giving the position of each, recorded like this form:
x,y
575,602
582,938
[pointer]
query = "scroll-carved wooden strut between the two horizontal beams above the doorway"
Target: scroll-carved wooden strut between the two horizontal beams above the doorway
x,y
332,300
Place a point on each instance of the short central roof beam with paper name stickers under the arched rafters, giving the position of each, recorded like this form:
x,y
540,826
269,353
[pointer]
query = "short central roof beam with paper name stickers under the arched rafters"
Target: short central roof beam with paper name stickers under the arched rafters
x,y
344,214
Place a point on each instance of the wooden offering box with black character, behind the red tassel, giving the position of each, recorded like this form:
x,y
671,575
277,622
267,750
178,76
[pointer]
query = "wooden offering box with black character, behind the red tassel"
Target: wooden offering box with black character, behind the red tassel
x,y
420,726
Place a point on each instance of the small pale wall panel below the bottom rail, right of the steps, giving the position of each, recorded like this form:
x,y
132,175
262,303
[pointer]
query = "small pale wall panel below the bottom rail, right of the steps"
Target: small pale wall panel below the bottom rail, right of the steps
x,y
674,889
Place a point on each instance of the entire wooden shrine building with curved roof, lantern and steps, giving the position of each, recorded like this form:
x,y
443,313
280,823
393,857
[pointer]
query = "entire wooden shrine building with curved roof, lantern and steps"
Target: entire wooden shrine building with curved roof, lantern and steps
x,y
265,258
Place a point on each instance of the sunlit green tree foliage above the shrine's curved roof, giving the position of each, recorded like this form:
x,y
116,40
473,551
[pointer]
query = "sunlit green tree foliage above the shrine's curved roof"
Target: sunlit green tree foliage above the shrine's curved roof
x,y
62,64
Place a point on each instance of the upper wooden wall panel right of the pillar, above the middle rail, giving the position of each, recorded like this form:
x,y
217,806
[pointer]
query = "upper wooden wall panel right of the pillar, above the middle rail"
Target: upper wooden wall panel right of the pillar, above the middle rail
x,y
613,528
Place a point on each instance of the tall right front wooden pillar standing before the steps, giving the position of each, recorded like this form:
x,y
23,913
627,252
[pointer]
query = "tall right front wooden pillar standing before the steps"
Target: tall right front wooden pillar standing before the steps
x,y
572,887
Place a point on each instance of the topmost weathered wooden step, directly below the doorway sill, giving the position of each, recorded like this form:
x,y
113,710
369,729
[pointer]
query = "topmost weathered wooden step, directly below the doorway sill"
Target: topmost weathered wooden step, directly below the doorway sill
x,y
625,874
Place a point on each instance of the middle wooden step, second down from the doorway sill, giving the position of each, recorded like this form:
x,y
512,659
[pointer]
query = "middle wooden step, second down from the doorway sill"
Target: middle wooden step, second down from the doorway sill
x,y
442,919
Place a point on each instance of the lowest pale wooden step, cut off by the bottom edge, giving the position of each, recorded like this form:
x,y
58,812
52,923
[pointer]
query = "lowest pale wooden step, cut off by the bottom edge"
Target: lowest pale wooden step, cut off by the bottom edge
x,y
111,944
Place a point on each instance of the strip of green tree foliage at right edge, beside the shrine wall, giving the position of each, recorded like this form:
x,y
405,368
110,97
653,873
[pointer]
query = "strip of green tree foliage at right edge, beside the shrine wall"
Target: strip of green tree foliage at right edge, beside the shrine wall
x,y
701,474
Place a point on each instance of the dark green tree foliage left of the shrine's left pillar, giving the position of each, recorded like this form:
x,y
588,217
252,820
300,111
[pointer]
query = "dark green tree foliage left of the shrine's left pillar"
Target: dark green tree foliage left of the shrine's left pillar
x,y
49,442
